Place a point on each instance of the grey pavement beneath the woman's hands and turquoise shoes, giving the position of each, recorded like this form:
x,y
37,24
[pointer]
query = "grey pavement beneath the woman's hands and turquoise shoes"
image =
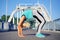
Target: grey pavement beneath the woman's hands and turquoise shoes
x,y
29,35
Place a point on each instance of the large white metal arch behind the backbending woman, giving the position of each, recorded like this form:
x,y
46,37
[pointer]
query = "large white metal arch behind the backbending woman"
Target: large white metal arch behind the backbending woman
x,y
41,9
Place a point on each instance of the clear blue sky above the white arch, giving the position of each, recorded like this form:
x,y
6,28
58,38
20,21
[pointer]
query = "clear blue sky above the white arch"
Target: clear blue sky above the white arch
x,y
12,5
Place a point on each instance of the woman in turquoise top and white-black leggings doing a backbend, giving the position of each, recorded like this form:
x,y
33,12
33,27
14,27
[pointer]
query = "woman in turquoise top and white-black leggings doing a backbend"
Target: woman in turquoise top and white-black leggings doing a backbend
x,y
28,14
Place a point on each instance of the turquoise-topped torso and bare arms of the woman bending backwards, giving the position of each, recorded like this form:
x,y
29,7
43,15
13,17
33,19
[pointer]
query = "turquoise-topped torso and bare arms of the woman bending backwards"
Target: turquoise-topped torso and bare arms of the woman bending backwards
x,y
27,14
